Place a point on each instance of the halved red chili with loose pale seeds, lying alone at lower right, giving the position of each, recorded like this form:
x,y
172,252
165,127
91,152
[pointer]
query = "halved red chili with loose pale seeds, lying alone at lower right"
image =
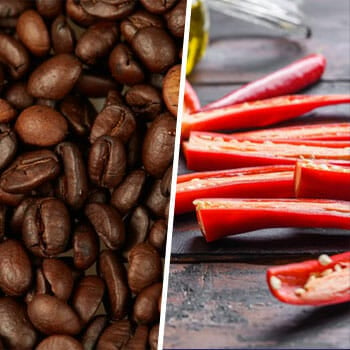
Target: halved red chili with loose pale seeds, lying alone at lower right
x,y
313,282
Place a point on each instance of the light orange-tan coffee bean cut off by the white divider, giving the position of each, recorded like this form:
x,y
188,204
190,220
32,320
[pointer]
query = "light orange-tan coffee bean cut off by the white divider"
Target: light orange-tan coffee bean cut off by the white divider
x,y
171,85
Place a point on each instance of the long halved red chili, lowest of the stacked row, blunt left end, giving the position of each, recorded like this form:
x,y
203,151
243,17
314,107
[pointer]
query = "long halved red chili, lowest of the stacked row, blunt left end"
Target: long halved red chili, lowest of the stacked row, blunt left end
x,y
220,217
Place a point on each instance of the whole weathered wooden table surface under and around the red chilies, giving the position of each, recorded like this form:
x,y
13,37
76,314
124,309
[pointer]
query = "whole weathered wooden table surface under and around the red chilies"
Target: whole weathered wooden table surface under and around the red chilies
x,y
217,296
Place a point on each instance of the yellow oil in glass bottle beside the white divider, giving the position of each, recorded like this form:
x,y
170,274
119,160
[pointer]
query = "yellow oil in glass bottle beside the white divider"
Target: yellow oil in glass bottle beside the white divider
x,y
199,34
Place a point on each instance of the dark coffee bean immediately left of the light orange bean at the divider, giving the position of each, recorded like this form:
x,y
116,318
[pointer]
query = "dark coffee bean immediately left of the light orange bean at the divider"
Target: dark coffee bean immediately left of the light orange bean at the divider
x,y
144,100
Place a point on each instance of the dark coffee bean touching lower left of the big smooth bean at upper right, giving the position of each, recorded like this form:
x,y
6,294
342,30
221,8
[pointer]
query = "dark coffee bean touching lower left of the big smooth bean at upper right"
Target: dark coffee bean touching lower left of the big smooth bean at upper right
x,y
123,66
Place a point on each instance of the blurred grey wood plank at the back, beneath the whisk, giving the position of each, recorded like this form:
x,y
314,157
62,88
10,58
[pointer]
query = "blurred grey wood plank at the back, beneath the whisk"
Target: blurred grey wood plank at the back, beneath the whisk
x,y
241,52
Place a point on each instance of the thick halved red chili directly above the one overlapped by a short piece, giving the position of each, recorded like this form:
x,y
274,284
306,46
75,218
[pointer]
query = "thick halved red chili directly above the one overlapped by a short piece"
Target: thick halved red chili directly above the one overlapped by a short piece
x,y
218,151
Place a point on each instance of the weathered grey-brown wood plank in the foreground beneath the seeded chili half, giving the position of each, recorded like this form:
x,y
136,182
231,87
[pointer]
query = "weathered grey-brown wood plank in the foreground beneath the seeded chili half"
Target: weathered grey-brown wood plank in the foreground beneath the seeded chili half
x,y
229,306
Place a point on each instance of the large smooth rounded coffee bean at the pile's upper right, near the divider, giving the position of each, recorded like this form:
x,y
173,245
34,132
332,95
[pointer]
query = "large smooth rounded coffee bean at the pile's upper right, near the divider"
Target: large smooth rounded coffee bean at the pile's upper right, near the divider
x,y
155,48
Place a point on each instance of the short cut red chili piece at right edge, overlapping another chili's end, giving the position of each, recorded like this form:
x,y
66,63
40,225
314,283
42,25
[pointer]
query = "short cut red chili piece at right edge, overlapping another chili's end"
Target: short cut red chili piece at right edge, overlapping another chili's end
x,y
322,180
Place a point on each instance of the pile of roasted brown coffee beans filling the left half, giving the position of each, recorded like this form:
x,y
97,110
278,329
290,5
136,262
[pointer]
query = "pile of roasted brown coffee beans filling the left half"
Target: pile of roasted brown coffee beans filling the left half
x,y
88,104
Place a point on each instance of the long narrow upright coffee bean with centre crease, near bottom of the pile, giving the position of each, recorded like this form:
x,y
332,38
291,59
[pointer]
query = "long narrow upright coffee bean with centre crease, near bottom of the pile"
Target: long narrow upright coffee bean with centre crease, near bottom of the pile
x,y
112,270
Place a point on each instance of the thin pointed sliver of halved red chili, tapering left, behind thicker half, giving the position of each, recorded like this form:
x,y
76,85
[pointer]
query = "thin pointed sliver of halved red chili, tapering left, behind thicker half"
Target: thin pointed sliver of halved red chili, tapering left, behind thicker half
x,y
326,132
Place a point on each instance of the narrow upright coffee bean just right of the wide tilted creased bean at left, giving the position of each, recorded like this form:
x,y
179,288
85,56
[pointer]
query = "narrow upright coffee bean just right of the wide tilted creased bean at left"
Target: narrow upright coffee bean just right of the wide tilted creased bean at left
x,y
74,182
